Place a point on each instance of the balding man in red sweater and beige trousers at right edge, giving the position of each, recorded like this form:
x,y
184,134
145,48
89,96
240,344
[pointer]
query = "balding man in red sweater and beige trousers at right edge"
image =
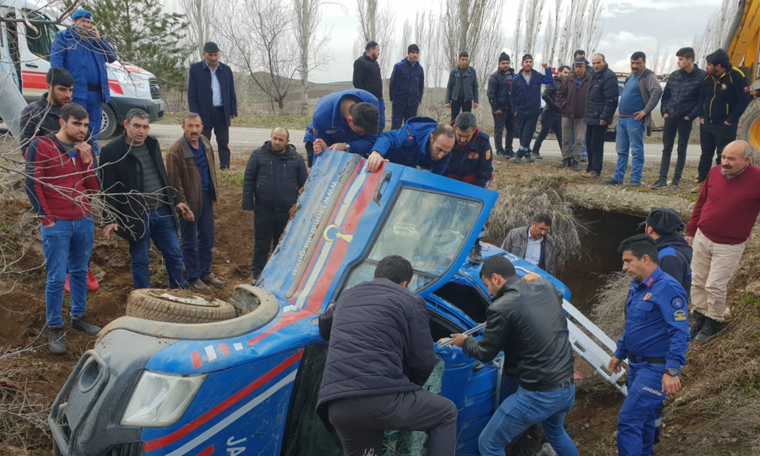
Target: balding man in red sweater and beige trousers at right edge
x,y
722,221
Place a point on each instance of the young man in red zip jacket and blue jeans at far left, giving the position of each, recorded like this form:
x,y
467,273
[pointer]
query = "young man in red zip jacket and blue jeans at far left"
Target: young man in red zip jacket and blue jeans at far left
x,y
59,181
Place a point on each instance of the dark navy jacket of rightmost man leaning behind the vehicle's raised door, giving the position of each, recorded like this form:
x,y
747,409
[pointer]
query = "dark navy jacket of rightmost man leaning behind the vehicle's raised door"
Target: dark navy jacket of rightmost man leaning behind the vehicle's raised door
x,y
472,163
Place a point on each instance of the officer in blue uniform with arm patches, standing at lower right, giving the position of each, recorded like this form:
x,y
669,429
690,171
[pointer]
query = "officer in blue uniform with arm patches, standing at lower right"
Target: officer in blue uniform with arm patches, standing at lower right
x,y
655,341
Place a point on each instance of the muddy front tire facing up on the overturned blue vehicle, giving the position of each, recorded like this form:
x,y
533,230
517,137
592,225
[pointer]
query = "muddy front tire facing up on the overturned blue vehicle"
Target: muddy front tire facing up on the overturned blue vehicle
x,y
177,307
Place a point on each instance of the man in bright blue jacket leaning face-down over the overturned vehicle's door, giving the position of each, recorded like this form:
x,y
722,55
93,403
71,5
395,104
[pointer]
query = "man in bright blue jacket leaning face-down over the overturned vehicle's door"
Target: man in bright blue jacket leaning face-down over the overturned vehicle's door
x,y
422,142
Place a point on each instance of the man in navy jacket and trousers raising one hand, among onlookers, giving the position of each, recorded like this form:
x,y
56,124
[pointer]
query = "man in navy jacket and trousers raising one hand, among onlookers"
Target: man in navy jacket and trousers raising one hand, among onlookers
x,y
526,104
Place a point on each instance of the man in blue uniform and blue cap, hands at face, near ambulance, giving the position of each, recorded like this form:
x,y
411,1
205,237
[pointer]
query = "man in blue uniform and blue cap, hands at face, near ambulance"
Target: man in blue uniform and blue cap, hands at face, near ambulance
x,y
83,53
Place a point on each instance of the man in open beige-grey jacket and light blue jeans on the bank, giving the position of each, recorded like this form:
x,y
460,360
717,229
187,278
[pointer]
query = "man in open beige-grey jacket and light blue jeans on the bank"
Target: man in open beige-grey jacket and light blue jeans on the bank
x,y
641,93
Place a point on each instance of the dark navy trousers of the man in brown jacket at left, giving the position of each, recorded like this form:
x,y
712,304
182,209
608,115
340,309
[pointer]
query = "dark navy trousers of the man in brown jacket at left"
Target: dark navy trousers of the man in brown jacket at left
x,y
197,241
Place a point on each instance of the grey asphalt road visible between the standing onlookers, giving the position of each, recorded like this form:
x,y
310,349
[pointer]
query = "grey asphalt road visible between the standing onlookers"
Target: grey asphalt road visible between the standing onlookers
x,y
245,140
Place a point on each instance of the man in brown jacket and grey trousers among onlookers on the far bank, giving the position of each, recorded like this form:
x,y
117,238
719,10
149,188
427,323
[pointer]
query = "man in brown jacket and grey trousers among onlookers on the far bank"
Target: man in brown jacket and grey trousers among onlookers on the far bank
x,y
571,98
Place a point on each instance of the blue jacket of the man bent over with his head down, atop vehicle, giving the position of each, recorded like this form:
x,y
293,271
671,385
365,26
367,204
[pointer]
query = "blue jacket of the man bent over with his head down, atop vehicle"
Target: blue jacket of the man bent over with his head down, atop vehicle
x,y
329,126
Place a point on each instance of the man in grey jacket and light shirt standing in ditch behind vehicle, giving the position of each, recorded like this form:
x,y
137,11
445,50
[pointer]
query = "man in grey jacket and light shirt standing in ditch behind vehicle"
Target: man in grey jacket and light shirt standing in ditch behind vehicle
x,y
533,243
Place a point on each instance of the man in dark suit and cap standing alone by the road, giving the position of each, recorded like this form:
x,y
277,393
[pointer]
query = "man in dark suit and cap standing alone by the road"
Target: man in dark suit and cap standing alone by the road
x,y
211,94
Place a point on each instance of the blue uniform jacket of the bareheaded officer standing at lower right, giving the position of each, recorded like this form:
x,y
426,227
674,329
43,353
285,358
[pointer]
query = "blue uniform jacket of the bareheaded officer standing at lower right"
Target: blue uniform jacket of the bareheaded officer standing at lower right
x,y
656,322
